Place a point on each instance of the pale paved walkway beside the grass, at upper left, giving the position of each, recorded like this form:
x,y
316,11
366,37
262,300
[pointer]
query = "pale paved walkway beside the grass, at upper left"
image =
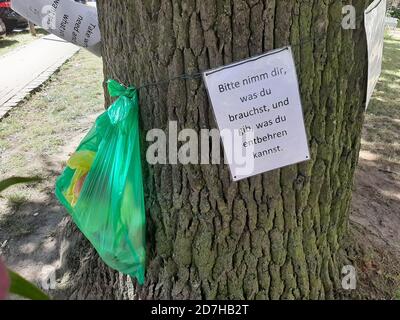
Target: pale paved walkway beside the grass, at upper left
x,y
26,68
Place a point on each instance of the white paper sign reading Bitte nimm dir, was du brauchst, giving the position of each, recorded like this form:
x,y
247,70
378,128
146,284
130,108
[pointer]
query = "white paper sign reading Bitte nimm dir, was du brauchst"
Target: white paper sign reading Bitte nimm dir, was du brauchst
x,y
258,109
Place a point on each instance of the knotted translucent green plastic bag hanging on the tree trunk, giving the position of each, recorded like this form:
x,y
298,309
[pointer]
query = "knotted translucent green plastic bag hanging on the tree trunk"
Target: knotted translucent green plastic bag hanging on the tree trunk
x,y
102,185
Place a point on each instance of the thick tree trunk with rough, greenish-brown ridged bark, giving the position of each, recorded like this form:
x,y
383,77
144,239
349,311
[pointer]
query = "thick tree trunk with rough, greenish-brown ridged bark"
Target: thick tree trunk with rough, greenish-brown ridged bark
x,y
274,236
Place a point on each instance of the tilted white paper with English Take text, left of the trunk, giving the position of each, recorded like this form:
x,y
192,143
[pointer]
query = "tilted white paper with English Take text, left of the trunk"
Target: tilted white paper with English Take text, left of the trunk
x,y
67,19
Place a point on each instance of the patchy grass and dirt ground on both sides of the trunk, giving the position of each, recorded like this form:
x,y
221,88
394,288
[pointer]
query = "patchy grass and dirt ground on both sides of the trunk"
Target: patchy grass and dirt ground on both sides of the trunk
x,y
37,137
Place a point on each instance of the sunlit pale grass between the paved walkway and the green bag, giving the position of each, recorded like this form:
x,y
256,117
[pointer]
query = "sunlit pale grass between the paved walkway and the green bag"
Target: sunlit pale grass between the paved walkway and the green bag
x,y
36,132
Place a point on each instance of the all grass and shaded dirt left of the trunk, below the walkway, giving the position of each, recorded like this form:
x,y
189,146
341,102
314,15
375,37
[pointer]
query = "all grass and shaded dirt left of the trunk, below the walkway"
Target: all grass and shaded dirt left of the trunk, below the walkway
x,y
36,139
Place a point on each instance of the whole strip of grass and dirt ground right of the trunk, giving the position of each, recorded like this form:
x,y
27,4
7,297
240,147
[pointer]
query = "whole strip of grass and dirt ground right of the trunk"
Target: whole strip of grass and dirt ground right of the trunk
x,y
375,217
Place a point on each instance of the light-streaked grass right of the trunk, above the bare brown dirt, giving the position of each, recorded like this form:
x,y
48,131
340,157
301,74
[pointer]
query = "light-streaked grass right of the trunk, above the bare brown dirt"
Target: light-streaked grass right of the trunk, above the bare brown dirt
x,y
382,122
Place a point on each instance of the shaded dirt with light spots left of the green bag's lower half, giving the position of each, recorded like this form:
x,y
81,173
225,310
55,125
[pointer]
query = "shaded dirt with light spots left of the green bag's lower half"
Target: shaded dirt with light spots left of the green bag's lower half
x,y
28,230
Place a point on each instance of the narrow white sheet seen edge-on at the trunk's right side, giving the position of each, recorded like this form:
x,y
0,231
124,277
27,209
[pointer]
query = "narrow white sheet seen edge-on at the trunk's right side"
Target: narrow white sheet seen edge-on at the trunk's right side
x,y
375,28
